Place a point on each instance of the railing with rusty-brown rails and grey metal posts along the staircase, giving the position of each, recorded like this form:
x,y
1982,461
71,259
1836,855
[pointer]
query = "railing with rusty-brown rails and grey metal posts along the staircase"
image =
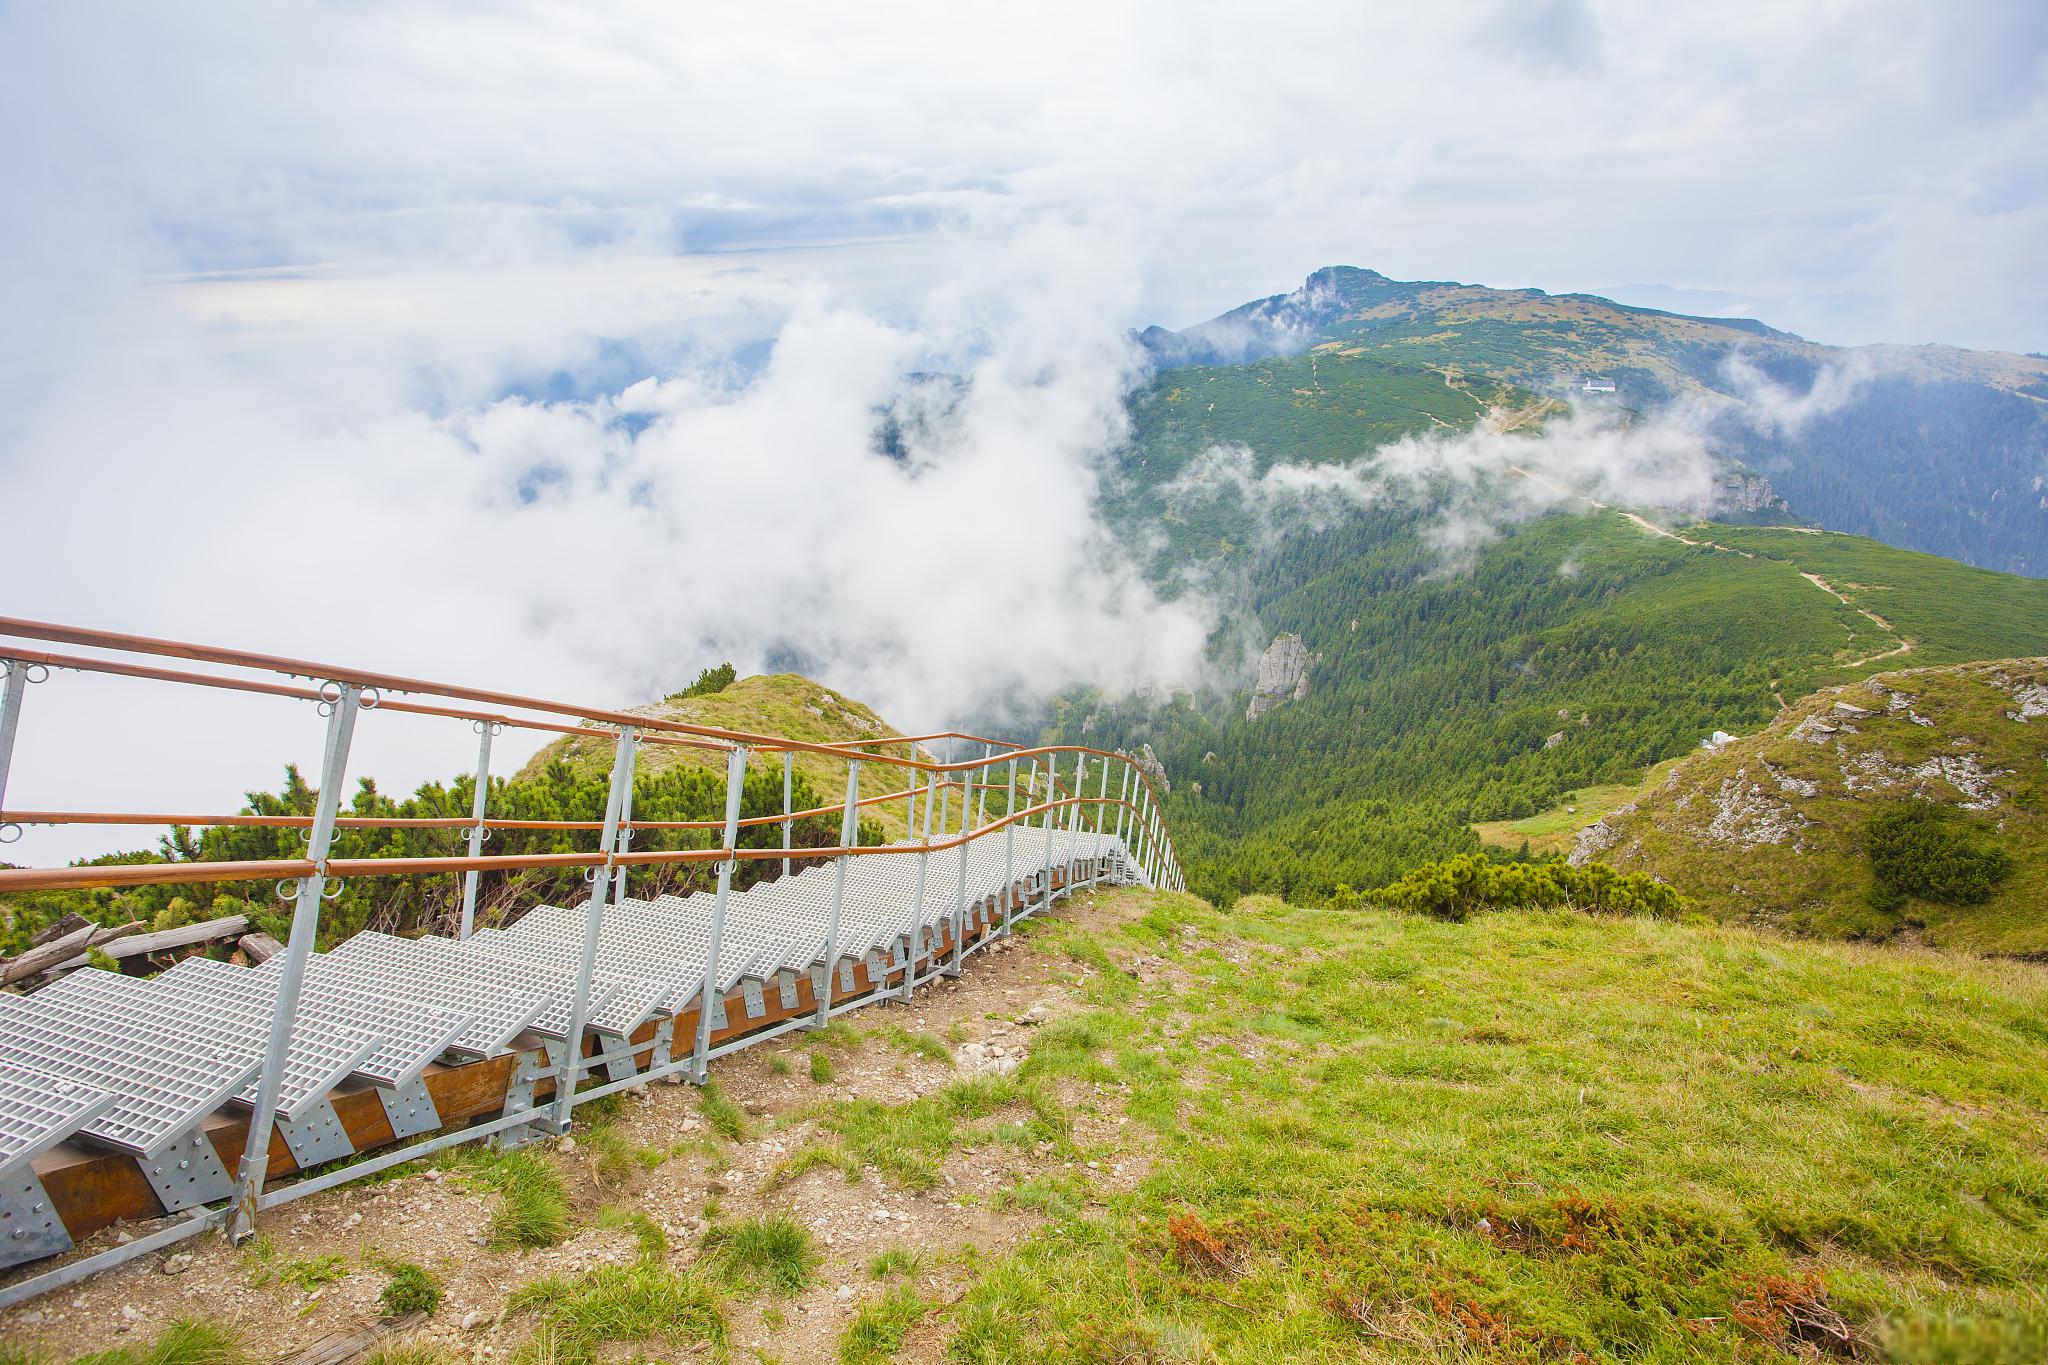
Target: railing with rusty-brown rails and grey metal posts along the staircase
x,y
1140,832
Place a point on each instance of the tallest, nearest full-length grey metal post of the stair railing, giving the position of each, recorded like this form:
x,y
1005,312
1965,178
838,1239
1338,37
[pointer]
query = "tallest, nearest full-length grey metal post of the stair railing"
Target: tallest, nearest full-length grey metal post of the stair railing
x,y
298,949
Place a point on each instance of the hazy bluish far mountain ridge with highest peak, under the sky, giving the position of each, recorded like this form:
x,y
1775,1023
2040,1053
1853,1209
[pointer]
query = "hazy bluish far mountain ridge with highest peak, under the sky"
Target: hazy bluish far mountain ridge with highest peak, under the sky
x,y
1922,447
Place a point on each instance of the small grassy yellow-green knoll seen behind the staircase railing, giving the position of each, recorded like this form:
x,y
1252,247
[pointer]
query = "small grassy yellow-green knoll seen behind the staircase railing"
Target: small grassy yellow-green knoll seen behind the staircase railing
x,y
785,705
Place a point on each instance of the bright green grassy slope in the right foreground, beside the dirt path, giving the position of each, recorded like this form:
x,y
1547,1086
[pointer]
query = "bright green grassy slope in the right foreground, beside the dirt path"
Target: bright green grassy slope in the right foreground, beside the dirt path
x,y
1533,1137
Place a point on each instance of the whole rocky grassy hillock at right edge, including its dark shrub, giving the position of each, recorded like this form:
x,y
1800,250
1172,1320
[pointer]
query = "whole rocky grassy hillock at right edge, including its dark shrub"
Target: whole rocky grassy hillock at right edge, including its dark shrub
x,y
1793,826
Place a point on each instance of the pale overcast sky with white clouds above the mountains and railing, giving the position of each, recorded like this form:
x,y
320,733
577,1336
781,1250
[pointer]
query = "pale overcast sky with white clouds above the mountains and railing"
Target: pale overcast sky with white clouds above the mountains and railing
x,y
431,337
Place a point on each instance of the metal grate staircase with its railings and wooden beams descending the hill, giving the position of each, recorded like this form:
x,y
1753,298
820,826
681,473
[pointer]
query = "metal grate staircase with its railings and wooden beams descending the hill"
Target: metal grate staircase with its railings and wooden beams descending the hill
x,y
181,1096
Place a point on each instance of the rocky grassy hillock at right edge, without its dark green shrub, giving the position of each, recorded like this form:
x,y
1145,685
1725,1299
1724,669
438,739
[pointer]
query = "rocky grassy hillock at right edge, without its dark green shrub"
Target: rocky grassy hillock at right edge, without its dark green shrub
x,y
1816,875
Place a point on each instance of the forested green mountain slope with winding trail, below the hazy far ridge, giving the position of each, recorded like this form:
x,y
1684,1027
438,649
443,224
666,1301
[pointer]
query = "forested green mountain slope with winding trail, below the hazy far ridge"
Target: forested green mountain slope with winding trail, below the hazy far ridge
x,y
1576,650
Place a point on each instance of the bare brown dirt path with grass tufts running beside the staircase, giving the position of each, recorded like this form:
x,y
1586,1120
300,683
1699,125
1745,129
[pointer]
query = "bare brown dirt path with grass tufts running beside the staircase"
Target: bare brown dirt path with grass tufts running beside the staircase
x,y
439,1221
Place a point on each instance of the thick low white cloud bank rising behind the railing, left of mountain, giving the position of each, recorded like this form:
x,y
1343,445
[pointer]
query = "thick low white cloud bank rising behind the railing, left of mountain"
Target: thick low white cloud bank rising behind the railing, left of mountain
x,y
597,549
